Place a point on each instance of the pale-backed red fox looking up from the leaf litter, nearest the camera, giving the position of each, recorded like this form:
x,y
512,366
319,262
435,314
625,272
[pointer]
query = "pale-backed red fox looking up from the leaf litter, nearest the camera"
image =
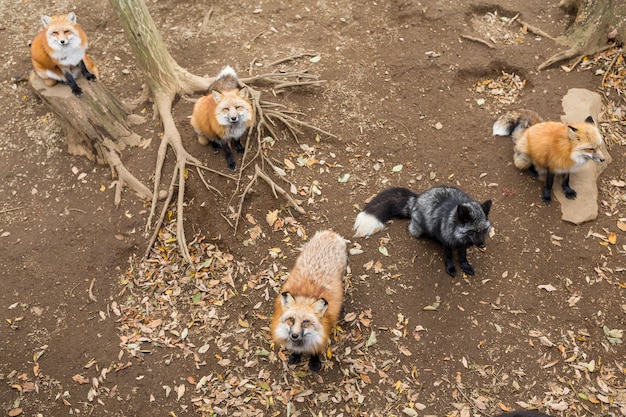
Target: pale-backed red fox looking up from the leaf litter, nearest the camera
x,y
311,300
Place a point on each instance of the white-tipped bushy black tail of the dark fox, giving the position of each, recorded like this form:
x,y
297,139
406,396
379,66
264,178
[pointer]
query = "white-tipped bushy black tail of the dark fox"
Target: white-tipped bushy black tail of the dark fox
x,y
389,204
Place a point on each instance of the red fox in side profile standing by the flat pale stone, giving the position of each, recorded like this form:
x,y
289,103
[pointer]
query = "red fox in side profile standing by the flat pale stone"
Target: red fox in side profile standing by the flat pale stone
x,y
550,147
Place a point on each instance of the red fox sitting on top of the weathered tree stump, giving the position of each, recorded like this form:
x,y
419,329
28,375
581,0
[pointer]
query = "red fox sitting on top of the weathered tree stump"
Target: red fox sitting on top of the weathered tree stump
x,y
58,52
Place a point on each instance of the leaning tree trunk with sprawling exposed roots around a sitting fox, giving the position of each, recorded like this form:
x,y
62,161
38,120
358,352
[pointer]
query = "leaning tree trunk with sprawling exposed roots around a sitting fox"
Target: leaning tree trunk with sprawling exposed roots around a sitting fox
x,y
165,79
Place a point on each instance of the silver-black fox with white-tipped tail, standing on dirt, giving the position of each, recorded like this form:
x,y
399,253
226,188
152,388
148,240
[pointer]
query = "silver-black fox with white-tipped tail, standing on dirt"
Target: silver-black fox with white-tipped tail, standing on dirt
x,y
446,214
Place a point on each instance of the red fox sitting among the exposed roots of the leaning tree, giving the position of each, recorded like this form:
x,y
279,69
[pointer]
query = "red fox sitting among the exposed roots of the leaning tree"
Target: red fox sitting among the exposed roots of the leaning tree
x,y
223,115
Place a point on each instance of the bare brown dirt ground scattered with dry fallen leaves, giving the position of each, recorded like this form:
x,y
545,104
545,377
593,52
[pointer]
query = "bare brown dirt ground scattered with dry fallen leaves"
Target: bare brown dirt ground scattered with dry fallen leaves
x,y
87,329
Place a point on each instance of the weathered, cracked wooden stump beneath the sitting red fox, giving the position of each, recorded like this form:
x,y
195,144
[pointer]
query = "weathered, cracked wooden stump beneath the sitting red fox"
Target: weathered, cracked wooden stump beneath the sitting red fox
x,y
96,127
